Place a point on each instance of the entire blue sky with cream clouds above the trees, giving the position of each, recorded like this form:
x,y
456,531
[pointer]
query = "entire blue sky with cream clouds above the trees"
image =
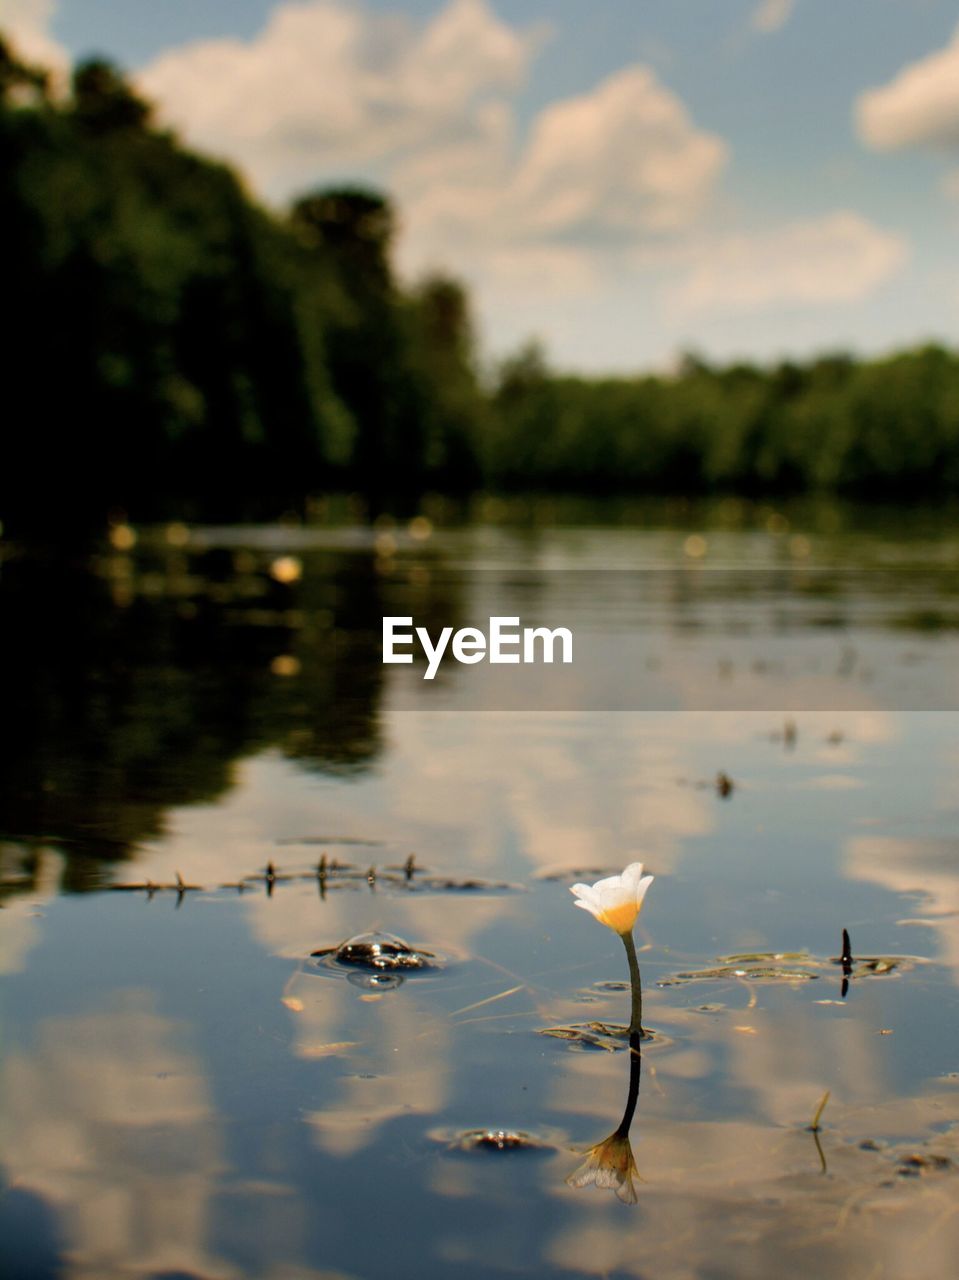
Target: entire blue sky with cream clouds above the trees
x,y
623,180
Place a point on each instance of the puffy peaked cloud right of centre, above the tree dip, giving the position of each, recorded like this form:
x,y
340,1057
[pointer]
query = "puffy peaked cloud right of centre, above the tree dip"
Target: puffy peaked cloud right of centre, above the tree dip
x,y
600,175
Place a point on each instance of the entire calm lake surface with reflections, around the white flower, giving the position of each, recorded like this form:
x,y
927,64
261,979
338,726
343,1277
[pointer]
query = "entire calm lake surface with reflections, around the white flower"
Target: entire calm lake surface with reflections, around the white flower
x,y
209,778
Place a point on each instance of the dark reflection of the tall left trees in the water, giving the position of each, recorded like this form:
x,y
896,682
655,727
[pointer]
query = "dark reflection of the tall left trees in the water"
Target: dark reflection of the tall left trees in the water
x,y
134,685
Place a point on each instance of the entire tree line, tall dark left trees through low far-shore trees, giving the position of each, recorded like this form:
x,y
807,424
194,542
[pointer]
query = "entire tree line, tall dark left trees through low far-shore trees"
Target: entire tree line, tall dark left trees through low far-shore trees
x,y
177,350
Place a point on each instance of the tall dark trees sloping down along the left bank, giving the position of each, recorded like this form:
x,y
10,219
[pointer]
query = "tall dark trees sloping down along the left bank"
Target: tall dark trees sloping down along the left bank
x,y
181,351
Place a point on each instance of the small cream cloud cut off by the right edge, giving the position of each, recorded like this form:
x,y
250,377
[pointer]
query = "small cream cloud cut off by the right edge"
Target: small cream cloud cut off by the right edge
x,y
919,107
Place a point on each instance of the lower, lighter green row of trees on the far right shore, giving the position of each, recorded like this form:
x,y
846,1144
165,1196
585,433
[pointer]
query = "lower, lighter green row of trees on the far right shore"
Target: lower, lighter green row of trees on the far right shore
x,y
882,429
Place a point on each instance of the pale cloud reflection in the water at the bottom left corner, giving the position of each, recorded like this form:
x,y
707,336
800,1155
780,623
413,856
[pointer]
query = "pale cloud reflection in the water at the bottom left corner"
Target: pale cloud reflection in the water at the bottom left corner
x,y
111,1119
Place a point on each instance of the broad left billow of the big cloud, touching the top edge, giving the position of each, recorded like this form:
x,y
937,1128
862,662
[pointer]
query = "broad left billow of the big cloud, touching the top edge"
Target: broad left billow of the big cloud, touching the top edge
x,y
330,88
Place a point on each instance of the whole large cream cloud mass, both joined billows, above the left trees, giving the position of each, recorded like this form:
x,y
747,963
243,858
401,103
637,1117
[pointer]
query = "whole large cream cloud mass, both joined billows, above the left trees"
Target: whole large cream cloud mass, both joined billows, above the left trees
x,y
330,92
